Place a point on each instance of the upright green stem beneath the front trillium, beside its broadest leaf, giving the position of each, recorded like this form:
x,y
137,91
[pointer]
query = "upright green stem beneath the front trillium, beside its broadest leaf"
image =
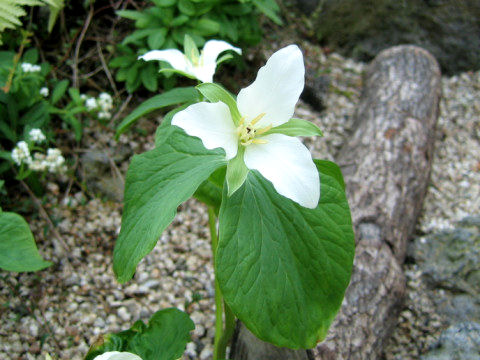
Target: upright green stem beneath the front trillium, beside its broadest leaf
x,y
219,349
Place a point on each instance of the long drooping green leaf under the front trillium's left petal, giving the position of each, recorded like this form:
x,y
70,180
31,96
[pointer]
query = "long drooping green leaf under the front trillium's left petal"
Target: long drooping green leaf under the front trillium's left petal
x,y
157,182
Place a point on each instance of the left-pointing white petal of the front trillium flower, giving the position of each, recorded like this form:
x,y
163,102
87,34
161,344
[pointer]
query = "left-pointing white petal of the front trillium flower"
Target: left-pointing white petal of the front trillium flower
x,y
212,123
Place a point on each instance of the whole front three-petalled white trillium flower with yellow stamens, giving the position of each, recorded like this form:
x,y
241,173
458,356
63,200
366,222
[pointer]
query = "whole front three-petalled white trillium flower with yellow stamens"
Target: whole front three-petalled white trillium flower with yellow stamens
x,y
267,103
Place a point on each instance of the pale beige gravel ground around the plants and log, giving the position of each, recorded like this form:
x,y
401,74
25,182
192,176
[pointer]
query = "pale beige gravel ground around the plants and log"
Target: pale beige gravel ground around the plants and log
x,y
65,307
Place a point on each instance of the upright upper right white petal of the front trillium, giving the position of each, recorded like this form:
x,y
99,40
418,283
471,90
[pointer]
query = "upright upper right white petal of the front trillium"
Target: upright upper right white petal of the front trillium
x,y
276,89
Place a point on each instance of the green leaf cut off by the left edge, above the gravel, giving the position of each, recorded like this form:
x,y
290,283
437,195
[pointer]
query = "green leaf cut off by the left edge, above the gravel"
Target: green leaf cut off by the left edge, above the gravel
x,y
18,251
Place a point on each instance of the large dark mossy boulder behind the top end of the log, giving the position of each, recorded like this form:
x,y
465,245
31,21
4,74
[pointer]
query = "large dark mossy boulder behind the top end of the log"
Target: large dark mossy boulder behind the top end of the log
x,y
449,29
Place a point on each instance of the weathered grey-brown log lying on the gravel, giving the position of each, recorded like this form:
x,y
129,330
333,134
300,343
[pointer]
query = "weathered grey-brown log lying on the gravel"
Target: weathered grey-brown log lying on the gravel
x,y
386,164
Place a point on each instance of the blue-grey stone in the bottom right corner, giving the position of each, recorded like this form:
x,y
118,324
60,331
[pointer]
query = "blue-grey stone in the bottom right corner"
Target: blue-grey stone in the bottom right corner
x,y
458,342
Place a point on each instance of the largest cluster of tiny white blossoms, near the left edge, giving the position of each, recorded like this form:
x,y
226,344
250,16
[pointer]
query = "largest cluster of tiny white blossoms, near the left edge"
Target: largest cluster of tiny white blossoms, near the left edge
x,y
53,161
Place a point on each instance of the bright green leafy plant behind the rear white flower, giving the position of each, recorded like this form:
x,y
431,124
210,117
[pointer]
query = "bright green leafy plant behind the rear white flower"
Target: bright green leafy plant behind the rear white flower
x,y
165,24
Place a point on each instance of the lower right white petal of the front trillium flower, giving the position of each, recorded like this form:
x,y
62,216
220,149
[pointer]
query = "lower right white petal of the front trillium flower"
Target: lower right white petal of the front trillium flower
x,y
288,164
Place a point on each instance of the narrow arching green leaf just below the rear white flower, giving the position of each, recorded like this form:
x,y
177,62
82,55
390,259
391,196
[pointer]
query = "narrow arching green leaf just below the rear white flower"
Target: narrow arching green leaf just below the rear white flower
x,y
168,98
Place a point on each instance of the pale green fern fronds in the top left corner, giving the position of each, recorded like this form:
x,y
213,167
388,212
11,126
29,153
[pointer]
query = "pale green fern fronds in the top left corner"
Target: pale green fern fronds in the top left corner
x,y
12,10
